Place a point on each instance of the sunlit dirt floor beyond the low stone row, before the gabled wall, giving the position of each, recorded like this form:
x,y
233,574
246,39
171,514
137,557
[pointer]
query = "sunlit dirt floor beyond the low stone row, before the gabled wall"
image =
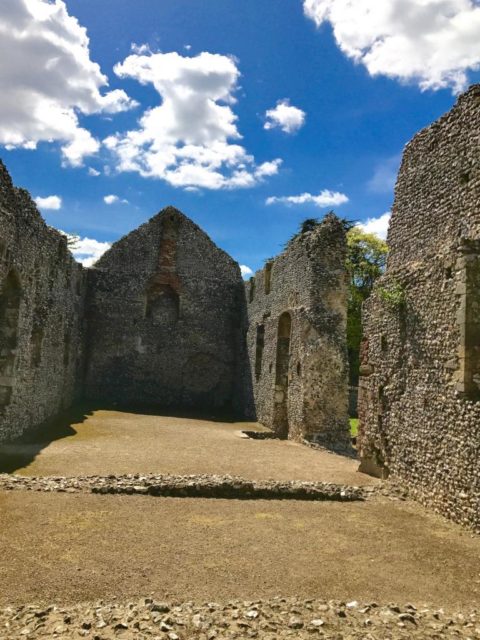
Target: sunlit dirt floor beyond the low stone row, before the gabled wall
x,y
114,442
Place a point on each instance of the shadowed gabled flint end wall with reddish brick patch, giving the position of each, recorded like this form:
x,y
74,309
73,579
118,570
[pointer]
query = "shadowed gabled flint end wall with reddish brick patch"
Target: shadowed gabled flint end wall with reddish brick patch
x,y
164,318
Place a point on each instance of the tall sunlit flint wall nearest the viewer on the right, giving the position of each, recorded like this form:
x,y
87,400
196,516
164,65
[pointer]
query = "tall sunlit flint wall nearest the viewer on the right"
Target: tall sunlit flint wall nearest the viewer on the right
x,y
420,388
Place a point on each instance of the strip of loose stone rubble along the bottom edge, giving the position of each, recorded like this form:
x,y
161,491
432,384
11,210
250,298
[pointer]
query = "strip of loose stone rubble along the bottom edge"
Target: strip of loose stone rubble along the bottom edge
x,y
265,619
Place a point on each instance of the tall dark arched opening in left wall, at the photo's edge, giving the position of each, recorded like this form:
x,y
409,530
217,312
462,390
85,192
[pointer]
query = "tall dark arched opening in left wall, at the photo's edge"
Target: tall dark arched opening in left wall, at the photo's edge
x,y
10,297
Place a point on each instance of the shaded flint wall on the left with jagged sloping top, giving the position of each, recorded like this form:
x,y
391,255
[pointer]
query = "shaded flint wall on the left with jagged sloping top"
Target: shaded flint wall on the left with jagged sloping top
x,y
41,302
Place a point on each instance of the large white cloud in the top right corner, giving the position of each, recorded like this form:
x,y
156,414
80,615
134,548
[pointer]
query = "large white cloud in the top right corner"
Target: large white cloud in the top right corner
x,y
431,42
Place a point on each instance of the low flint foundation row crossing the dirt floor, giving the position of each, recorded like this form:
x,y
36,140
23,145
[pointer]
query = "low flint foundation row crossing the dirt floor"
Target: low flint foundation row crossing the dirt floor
x,y
194,486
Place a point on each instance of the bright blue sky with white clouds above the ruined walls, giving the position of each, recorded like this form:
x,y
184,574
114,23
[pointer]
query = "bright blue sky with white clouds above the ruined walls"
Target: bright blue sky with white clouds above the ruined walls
x,y
244,105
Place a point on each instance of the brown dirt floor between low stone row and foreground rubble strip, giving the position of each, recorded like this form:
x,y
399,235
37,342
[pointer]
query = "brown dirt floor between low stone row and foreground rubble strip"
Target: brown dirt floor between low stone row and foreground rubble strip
x,y
71,548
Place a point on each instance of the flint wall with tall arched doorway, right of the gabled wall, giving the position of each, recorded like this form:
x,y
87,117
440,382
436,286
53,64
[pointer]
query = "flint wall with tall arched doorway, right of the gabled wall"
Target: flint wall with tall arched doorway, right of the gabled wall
x,y
296,338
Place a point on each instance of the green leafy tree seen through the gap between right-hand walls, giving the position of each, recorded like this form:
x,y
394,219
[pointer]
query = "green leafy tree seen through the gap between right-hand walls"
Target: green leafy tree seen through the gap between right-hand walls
x,y
366,259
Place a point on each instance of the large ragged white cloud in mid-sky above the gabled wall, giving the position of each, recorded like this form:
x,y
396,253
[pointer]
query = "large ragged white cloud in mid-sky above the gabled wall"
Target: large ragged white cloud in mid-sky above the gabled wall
x,y
191,139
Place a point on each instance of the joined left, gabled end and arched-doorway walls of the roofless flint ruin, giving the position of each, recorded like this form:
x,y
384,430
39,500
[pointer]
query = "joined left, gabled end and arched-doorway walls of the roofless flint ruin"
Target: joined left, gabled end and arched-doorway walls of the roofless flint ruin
x,y
163,319
